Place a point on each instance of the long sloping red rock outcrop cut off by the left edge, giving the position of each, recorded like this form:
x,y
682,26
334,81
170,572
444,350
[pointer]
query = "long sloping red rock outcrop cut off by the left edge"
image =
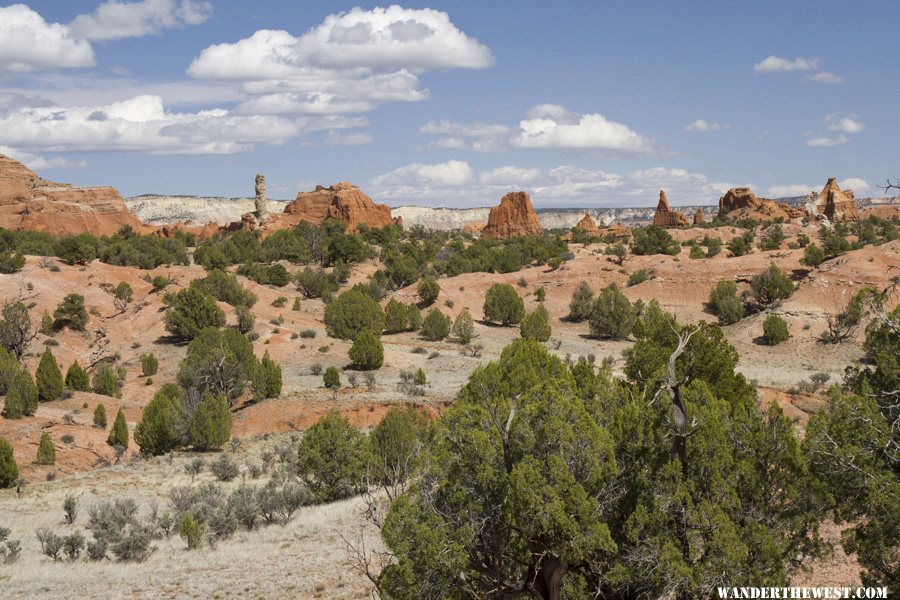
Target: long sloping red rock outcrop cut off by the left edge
x,y
28,202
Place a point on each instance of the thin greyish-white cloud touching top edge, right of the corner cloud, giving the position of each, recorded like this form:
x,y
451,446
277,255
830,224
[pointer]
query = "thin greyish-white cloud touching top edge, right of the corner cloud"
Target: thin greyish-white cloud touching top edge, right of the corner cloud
x,y
114,20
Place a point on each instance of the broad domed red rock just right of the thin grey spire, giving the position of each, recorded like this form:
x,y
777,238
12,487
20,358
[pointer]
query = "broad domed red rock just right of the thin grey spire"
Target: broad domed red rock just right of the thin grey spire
x,y
342,201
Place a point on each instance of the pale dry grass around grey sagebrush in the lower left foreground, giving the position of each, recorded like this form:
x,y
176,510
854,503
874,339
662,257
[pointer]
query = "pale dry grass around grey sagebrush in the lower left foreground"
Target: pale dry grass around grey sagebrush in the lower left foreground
x,y
304,559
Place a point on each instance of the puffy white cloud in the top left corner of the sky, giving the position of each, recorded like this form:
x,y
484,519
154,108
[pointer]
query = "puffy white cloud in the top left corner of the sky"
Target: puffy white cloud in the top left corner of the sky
x,y
28,42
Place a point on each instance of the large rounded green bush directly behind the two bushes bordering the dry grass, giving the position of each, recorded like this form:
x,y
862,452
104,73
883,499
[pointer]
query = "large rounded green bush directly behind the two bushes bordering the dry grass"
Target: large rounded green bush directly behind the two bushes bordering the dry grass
x,y
220,361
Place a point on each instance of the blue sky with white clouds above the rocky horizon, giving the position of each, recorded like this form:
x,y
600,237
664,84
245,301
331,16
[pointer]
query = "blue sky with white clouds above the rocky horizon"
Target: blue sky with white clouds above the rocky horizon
x,y
454,104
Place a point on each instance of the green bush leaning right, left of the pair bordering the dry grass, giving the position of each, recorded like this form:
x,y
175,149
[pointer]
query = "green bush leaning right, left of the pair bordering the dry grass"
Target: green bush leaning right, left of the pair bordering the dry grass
x,y
161,428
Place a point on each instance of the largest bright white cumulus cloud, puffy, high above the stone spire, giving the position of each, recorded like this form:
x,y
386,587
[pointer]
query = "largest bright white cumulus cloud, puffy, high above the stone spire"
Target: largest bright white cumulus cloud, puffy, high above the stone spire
x,y
352,62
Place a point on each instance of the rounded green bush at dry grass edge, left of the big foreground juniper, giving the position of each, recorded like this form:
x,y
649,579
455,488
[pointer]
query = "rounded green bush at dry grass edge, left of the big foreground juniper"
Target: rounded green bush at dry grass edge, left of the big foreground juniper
x,y
332,457
